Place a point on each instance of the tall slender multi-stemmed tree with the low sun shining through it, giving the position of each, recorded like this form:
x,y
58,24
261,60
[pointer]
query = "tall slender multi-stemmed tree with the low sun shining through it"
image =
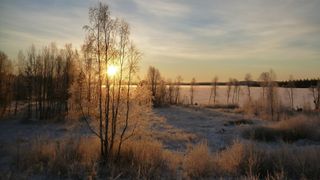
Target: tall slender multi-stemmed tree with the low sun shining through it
x,y
107,43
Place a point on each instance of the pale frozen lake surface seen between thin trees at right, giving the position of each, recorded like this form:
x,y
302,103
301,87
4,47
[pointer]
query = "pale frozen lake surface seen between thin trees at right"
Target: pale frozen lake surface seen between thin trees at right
x,y
302,96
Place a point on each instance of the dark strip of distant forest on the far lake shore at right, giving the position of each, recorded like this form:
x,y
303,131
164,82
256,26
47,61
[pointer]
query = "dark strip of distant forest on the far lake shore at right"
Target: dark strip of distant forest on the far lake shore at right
x,y
300,83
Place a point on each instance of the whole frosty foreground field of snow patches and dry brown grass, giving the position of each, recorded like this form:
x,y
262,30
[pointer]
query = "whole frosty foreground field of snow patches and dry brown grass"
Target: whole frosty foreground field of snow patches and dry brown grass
x,y
179,136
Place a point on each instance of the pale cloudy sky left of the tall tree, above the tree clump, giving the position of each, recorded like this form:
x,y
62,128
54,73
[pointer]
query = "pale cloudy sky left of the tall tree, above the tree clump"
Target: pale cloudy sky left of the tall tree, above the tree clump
x,y
39,22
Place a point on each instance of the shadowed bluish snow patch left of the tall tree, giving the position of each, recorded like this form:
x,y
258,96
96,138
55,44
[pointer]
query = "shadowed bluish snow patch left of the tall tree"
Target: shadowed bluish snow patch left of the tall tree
x,y
15,134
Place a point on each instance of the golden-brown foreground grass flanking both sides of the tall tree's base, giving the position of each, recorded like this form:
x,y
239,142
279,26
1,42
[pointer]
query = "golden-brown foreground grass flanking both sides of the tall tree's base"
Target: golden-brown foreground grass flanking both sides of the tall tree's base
x,y
79,159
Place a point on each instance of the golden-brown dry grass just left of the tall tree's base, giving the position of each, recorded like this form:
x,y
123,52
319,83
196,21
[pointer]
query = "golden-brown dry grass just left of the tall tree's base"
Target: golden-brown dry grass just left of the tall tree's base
x,y
72,158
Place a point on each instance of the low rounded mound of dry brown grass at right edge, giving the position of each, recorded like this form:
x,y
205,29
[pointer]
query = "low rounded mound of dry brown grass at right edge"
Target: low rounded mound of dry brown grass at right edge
x,y
293,129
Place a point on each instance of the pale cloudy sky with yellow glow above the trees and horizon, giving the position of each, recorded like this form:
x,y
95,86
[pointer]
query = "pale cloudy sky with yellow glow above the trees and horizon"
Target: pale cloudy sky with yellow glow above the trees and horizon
x,y
191,38
